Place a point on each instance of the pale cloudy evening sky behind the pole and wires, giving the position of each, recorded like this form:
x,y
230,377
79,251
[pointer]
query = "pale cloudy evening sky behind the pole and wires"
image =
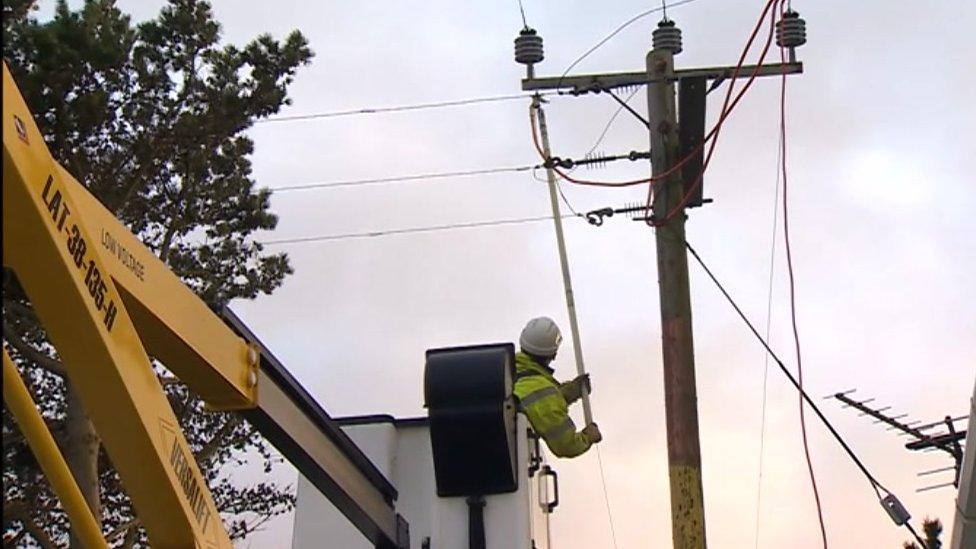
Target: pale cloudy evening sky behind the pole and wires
x,y
880,192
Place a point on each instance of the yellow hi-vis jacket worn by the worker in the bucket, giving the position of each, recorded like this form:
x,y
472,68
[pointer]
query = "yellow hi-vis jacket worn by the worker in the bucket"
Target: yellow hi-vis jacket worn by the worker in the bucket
x,y
545,402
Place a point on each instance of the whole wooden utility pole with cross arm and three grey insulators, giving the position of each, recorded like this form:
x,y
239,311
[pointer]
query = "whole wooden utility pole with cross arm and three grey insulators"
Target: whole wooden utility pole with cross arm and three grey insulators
x,y
667,137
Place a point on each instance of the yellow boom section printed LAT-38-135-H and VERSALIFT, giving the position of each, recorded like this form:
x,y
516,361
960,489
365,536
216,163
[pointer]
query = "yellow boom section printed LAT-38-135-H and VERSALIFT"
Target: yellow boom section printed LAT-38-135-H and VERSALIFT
x,y
59,261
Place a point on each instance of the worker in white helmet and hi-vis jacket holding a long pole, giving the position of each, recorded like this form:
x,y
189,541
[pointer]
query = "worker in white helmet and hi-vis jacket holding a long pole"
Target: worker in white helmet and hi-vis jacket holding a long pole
x,y
543,399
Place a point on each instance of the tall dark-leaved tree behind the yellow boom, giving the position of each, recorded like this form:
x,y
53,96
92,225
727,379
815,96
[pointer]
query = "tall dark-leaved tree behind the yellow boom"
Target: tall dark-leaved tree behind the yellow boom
x,y
151,118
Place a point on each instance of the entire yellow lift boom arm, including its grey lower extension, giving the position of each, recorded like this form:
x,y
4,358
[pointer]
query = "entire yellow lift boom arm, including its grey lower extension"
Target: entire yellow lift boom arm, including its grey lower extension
x,y
108,302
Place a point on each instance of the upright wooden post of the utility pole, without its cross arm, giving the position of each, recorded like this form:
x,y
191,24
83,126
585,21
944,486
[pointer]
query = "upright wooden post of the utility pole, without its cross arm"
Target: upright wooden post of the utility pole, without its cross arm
x,y
680,396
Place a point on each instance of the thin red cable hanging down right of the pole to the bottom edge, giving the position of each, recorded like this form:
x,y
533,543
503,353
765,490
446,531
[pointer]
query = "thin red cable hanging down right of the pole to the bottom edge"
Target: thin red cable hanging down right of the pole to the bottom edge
x,y
789,265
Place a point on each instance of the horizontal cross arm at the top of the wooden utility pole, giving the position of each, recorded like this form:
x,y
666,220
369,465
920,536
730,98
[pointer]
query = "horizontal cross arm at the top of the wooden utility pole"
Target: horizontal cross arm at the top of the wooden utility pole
x,y
596,83
